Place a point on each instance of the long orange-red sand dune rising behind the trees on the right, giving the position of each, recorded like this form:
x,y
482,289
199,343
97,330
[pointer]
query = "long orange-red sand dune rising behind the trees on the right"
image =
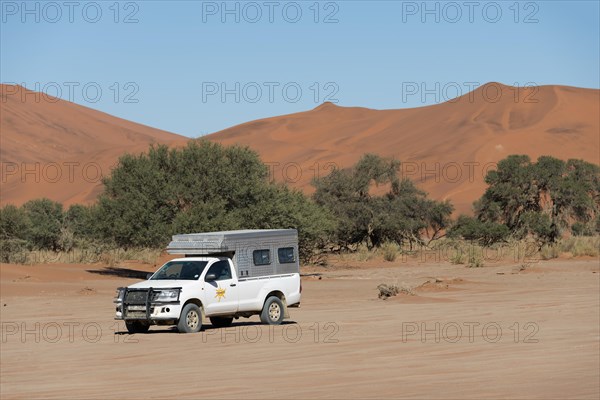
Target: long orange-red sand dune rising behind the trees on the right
x,y
445,148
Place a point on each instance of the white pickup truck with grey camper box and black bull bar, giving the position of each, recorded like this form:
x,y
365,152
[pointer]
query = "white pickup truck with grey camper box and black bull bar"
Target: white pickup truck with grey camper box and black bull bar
x,y
224,275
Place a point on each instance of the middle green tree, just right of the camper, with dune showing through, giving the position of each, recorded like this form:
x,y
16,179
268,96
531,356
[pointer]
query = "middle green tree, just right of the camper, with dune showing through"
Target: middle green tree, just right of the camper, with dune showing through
x,y
372,204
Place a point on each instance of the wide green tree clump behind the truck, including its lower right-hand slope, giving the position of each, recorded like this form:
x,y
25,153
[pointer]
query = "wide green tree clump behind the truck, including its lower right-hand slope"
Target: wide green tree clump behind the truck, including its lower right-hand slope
x,y
201,187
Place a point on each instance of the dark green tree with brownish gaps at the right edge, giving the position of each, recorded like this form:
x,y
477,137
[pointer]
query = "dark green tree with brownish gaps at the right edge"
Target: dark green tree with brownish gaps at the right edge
x,y
541,199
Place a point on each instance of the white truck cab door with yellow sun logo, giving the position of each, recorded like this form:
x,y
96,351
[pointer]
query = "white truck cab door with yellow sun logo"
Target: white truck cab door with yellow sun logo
x,y
221,295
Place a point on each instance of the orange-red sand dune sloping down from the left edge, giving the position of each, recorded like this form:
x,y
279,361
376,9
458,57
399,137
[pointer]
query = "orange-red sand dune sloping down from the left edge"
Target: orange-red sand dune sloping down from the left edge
x,y
58,149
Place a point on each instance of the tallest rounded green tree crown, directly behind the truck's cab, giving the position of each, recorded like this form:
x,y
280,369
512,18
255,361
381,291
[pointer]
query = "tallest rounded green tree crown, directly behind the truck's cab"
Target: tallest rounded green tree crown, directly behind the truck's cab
x,y
145,193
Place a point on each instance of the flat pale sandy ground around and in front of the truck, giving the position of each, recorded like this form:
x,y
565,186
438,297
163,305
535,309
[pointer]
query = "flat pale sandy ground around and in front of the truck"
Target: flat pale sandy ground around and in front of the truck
x,y
492,332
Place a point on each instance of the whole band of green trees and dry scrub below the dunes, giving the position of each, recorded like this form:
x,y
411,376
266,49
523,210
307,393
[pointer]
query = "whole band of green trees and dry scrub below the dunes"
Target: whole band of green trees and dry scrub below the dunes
x,y
365,211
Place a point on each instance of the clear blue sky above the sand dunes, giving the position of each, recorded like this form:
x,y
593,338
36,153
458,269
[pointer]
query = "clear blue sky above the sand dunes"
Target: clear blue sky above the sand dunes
x,y
175,57
